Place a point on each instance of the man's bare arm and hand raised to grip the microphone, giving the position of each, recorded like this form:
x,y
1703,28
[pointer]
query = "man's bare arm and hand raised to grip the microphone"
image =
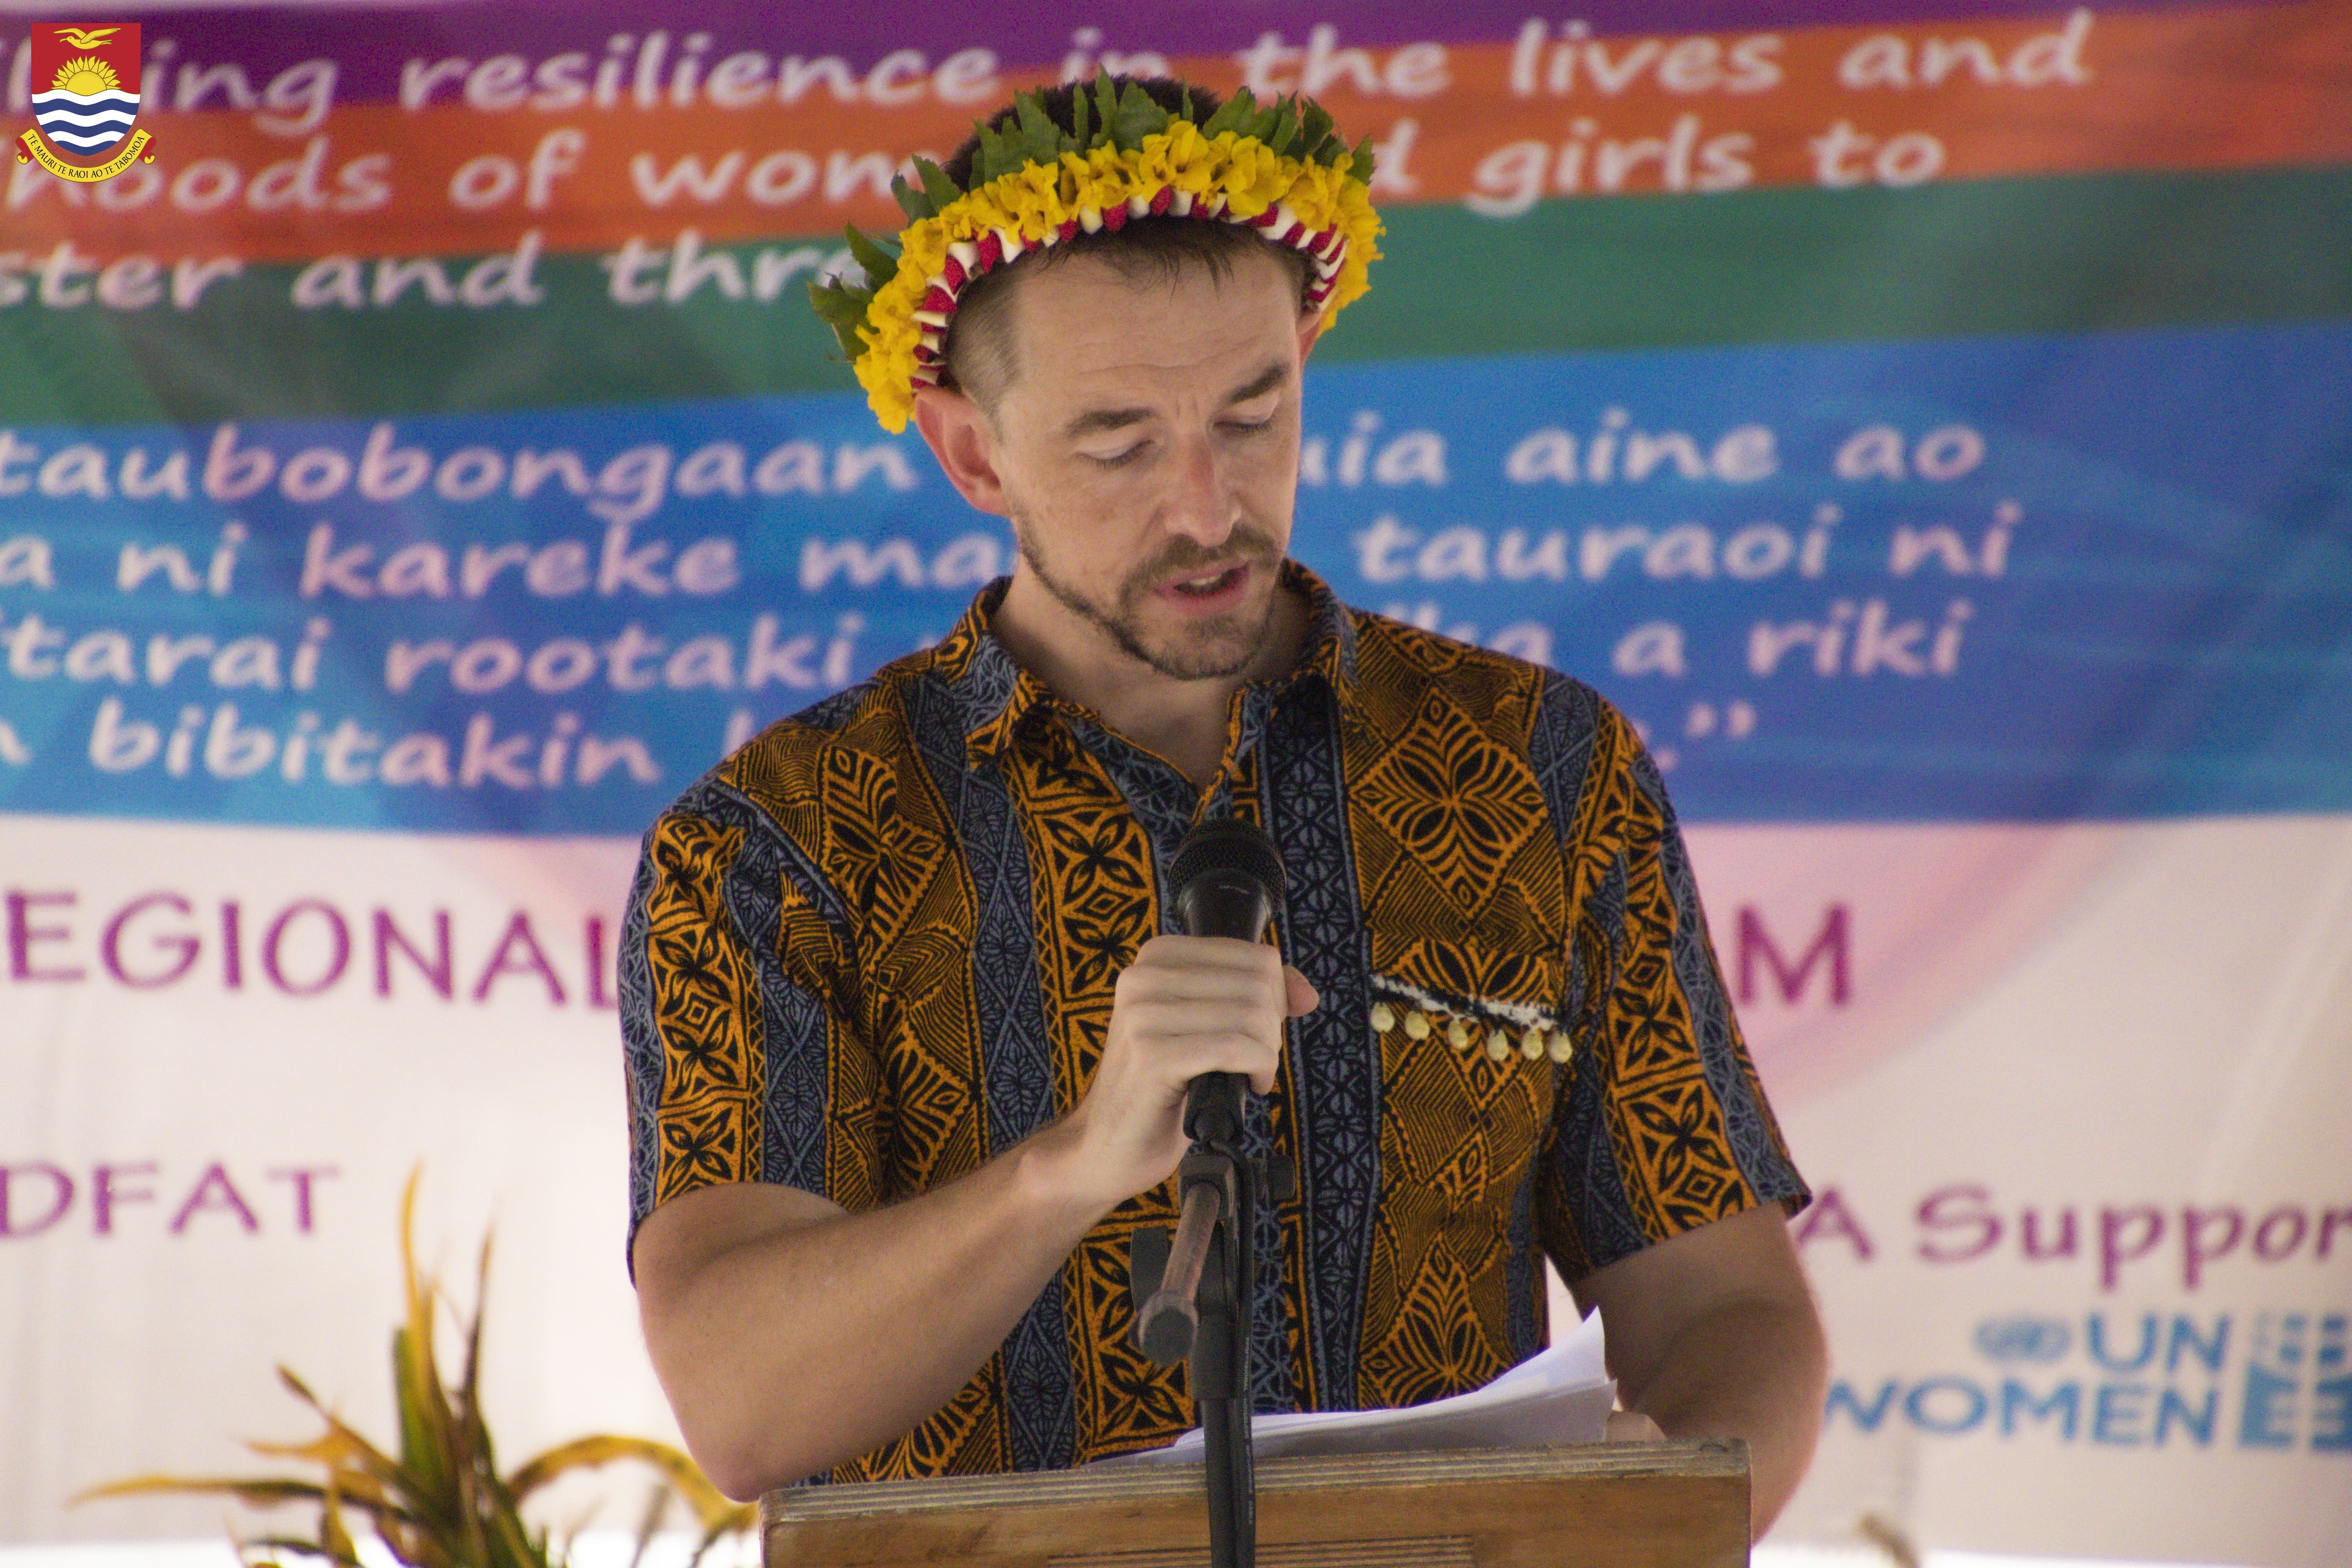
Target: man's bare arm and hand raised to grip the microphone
x,y
791,1334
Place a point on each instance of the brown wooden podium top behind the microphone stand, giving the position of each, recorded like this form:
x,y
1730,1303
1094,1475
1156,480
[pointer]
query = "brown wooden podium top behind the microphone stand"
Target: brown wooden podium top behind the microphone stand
x,y
1593,1506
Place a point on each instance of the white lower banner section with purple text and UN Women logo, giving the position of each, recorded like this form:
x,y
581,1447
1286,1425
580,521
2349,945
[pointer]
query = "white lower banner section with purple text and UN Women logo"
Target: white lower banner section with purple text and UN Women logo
x,y
2073,1101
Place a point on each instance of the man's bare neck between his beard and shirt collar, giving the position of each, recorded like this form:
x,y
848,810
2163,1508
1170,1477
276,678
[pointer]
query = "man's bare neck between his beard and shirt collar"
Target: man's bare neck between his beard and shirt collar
x,y
1182,721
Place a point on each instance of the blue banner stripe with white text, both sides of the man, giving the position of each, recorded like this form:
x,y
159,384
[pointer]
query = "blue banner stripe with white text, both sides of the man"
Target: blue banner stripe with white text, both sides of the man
x,y
1991,579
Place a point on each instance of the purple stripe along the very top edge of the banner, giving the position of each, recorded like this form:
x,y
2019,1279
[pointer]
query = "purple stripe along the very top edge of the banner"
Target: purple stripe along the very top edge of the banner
x,y
373,46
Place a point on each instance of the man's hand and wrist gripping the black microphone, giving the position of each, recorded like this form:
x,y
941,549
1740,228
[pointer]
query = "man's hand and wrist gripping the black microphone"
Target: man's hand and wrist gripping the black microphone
x,y
1189,1005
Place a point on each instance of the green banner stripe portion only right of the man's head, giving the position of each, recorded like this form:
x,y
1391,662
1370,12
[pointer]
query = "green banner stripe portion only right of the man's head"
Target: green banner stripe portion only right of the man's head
x,y
1805,264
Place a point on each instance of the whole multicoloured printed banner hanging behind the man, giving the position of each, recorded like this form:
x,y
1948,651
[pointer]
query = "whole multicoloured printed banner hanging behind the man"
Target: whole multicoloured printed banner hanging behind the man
x,y
1927,420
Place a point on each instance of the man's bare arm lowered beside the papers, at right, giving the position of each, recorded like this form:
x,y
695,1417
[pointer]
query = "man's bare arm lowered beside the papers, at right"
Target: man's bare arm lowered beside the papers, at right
x,y
1713,1334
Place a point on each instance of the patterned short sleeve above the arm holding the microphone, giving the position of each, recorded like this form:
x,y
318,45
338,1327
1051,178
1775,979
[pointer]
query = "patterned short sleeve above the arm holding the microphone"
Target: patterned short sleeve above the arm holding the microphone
x,y
737,1017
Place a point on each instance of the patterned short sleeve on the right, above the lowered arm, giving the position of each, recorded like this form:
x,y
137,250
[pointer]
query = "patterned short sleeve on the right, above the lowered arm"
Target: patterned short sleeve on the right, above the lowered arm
x,y
1664,1125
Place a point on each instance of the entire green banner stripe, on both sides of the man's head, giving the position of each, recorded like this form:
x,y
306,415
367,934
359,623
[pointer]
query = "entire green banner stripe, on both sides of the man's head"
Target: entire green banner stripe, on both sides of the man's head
x,y
1671,272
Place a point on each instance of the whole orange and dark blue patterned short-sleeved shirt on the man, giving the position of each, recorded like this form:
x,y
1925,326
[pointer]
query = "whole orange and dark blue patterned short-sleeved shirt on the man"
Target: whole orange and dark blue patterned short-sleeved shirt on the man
x,y
876,949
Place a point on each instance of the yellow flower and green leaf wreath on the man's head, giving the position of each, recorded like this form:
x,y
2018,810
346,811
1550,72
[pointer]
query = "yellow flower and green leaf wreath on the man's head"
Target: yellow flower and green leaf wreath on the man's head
x,y
1281,168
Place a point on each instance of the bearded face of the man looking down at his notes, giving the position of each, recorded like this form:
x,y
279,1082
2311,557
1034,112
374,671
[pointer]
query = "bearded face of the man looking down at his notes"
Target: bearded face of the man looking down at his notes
x,y
1149,453
